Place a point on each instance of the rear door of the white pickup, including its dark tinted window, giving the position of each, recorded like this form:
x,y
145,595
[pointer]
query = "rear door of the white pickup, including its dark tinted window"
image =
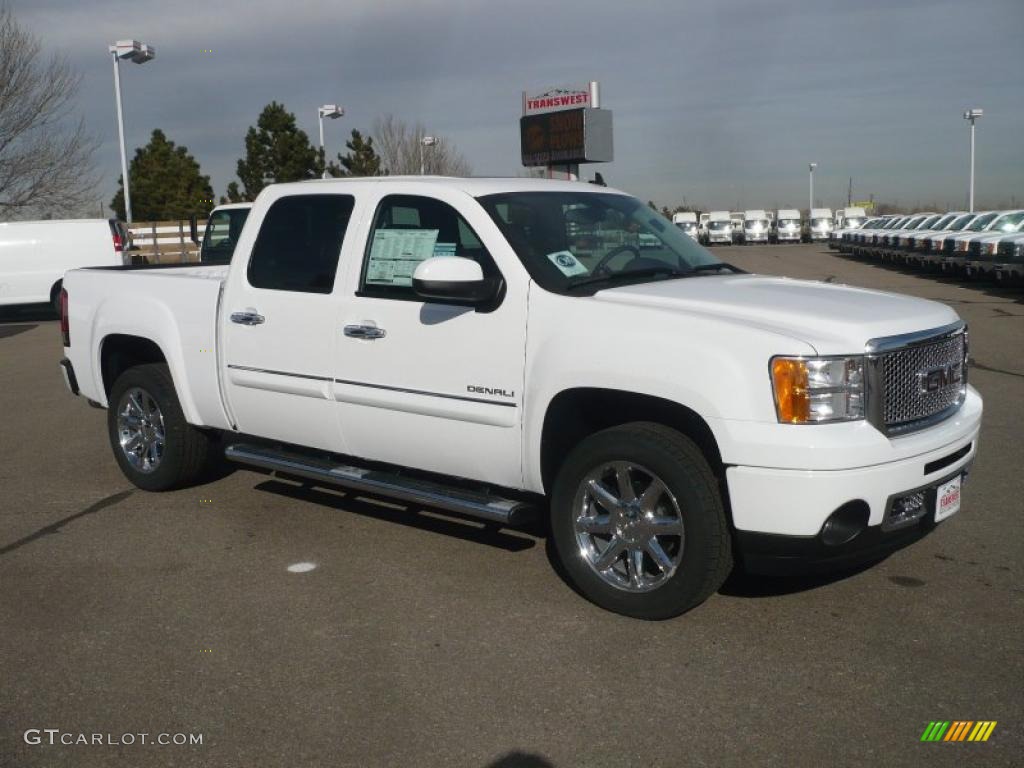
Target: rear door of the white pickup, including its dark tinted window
x,y
280,320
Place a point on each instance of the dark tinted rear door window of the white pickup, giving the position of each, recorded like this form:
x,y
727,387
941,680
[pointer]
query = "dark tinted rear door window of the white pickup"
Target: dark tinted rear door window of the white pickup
x,y
300,243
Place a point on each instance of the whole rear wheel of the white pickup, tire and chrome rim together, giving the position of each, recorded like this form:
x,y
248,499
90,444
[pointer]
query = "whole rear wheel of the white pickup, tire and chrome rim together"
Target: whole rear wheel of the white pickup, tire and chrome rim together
x,y
183,455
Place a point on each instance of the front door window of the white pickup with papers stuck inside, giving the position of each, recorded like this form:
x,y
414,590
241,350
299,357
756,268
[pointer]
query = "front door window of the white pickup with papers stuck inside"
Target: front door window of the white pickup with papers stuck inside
x,y
409,230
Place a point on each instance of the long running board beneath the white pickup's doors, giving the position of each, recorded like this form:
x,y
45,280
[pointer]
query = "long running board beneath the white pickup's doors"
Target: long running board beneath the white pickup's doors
x,y
485,506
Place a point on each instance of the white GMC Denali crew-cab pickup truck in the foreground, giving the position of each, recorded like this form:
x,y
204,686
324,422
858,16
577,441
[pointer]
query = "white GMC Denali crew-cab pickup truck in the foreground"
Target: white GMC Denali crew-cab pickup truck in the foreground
x,y
503,349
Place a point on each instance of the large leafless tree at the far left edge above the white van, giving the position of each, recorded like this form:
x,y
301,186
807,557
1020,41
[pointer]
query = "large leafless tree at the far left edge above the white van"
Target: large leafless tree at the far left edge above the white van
x,y
46,168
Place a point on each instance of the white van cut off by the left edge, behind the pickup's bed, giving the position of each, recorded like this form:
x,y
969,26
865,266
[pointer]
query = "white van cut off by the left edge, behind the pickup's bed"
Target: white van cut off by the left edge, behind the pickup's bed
x,y
34,255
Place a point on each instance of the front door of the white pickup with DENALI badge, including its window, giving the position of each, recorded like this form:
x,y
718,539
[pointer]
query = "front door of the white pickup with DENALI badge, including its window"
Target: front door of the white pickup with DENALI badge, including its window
x,y
430,386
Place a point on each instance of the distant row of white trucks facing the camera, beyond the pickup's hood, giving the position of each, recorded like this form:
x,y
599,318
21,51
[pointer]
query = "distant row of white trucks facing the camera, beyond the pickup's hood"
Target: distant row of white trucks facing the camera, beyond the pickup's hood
x,y
759,226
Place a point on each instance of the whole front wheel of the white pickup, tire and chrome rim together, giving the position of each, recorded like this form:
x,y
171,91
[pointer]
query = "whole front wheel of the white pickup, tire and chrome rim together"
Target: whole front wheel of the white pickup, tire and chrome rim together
x,y
702,557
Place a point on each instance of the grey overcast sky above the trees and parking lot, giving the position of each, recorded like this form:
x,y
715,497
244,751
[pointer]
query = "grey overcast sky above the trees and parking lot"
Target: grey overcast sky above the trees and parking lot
x,y
718,103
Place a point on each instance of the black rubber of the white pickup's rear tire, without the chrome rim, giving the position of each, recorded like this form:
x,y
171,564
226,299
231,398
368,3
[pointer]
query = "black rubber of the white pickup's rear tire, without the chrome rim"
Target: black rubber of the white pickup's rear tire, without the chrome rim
x,y
189,454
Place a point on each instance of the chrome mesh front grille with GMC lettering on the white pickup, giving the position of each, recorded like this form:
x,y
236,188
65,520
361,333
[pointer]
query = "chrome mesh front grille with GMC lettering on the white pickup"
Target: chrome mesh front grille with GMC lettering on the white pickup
x,y
917,383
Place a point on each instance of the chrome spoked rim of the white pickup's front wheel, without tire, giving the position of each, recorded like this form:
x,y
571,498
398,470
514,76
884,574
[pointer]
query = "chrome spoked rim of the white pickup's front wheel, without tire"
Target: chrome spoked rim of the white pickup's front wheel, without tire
x,y
629,527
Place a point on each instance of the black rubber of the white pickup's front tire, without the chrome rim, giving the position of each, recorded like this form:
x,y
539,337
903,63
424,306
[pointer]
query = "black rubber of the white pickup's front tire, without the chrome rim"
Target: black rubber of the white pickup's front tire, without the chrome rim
x,y
707,551
